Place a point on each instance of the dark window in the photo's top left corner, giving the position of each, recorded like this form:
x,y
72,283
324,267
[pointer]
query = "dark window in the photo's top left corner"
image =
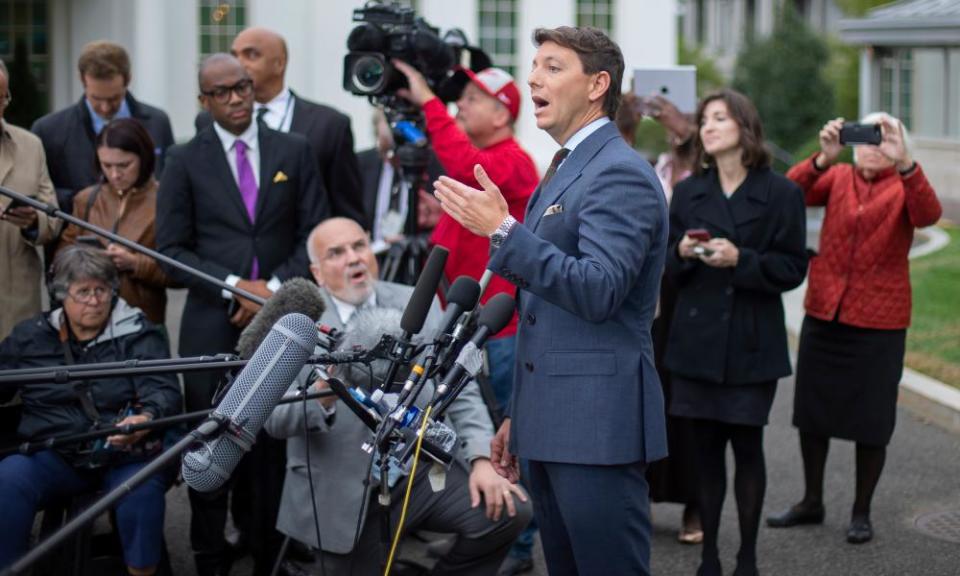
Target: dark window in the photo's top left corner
x,y
25,49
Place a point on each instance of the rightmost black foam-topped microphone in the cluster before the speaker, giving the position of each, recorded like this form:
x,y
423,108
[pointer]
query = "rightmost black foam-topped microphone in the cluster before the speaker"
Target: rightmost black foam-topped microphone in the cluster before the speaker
x,y
494,316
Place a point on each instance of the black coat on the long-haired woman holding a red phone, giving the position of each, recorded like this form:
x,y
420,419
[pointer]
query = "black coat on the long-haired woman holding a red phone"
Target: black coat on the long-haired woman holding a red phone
x,y
728,324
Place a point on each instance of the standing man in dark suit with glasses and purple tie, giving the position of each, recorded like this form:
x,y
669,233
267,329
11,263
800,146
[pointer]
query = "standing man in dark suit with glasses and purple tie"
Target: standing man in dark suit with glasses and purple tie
x,y
238,202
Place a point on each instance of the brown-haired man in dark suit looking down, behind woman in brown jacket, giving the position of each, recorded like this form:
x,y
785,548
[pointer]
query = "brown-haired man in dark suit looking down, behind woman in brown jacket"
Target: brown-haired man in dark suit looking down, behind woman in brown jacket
x,y
68,135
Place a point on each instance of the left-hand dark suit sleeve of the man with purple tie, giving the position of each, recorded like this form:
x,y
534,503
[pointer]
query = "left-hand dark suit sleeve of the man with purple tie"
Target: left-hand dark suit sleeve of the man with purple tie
x,y
176,226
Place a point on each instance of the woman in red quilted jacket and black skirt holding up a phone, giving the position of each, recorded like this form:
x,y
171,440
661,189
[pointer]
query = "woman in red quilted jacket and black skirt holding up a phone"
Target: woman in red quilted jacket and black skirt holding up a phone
x,y
858,308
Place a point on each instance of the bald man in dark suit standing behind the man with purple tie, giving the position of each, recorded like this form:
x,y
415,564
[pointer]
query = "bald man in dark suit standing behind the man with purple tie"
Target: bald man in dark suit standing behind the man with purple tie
x,y
264,55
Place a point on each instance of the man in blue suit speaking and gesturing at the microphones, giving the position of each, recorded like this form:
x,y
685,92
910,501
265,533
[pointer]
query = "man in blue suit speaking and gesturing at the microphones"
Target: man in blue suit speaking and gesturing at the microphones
x,y
587,409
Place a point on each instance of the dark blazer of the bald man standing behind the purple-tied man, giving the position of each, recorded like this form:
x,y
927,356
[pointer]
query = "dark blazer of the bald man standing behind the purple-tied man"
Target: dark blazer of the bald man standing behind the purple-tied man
x,y
329,134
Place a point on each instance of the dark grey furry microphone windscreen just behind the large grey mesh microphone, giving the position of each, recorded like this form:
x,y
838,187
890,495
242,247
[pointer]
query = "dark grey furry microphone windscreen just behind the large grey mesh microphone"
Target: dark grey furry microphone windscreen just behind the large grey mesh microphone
x,y
294,295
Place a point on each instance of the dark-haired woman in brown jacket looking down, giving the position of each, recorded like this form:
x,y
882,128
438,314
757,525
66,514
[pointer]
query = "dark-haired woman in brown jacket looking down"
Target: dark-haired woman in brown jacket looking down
x,y
124,202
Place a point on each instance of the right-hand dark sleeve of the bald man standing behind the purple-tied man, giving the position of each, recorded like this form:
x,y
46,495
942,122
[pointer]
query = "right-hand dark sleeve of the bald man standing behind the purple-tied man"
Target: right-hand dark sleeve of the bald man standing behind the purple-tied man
x,y
342,178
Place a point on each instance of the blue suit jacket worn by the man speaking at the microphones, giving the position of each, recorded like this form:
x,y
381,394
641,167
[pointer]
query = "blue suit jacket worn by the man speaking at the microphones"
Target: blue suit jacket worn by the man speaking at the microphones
x,y
586,390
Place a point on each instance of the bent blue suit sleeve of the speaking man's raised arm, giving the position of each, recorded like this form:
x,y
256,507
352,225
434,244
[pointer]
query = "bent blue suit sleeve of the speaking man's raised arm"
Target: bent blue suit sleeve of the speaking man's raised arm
x,y
619,217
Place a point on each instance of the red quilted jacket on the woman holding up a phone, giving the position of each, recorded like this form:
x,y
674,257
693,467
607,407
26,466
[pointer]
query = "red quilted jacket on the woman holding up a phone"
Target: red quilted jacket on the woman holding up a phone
x,y
862,266
